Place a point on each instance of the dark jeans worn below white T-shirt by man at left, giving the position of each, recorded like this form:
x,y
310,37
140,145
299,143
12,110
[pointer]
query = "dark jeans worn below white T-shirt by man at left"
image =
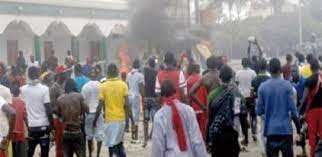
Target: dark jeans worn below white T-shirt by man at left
x,y
38,137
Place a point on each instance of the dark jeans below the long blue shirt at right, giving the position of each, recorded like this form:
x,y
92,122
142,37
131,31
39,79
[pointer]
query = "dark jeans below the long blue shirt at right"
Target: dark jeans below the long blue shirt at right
x,y
277,143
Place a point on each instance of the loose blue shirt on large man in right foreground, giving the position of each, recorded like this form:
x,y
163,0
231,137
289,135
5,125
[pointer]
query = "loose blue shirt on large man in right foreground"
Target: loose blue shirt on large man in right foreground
x,y
275,102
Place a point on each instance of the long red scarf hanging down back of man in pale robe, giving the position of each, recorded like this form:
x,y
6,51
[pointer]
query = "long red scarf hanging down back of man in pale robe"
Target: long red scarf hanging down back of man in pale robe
x,y
177,123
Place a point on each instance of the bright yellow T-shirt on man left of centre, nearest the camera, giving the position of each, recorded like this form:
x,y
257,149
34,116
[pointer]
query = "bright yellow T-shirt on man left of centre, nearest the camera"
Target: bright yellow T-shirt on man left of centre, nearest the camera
x,y
112,93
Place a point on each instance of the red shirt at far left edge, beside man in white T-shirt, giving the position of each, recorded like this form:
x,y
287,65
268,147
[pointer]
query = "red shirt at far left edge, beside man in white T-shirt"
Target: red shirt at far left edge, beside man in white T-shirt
x,y
20,108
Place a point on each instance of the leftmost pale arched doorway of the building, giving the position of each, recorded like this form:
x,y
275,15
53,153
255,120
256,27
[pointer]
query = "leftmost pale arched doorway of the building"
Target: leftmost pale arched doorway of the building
x,y
18,37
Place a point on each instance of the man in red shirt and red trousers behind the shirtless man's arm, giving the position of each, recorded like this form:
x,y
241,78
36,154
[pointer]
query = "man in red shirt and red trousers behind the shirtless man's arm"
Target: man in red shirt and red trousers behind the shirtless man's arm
x,y
201,95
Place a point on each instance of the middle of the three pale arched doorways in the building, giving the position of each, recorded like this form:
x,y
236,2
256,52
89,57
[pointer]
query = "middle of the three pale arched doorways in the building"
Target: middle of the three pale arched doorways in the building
x,y
58,38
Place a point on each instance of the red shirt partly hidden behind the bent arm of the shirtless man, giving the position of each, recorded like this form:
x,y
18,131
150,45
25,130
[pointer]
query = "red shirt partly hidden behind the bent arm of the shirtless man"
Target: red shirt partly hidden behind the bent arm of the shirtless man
x,y
201,94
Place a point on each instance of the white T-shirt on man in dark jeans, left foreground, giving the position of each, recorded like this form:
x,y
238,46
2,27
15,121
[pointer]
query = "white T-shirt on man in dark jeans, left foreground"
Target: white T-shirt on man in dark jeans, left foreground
x,y
35,97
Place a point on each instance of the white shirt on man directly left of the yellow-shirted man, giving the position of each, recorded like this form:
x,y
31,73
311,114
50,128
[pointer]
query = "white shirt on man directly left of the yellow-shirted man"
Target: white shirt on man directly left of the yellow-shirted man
x,y
90,92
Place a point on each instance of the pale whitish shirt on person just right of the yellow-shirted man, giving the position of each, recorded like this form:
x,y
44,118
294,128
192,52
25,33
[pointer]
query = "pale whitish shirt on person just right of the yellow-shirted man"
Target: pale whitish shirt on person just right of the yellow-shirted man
x,y
134,79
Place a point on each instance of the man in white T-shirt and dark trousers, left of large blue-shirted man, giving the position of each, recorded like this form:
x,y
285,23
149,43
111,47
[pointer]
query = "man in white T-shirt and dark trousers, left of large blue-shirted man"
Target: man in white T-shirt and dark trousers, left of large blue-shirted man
x,y
244,79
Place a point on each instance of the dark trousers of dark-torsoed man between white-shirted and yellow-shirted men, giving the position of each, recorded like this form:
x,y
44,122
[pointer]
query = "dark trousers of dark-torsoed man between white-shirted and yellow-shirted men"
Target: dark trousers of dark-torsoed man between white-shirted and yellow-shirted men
x,y
74,143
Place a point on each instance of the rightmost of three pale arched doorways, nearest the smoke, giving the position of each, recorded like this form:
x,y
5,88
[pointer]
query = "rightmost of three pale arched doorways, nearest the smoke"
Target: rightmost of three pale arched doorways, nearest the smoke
x,y
90,42
